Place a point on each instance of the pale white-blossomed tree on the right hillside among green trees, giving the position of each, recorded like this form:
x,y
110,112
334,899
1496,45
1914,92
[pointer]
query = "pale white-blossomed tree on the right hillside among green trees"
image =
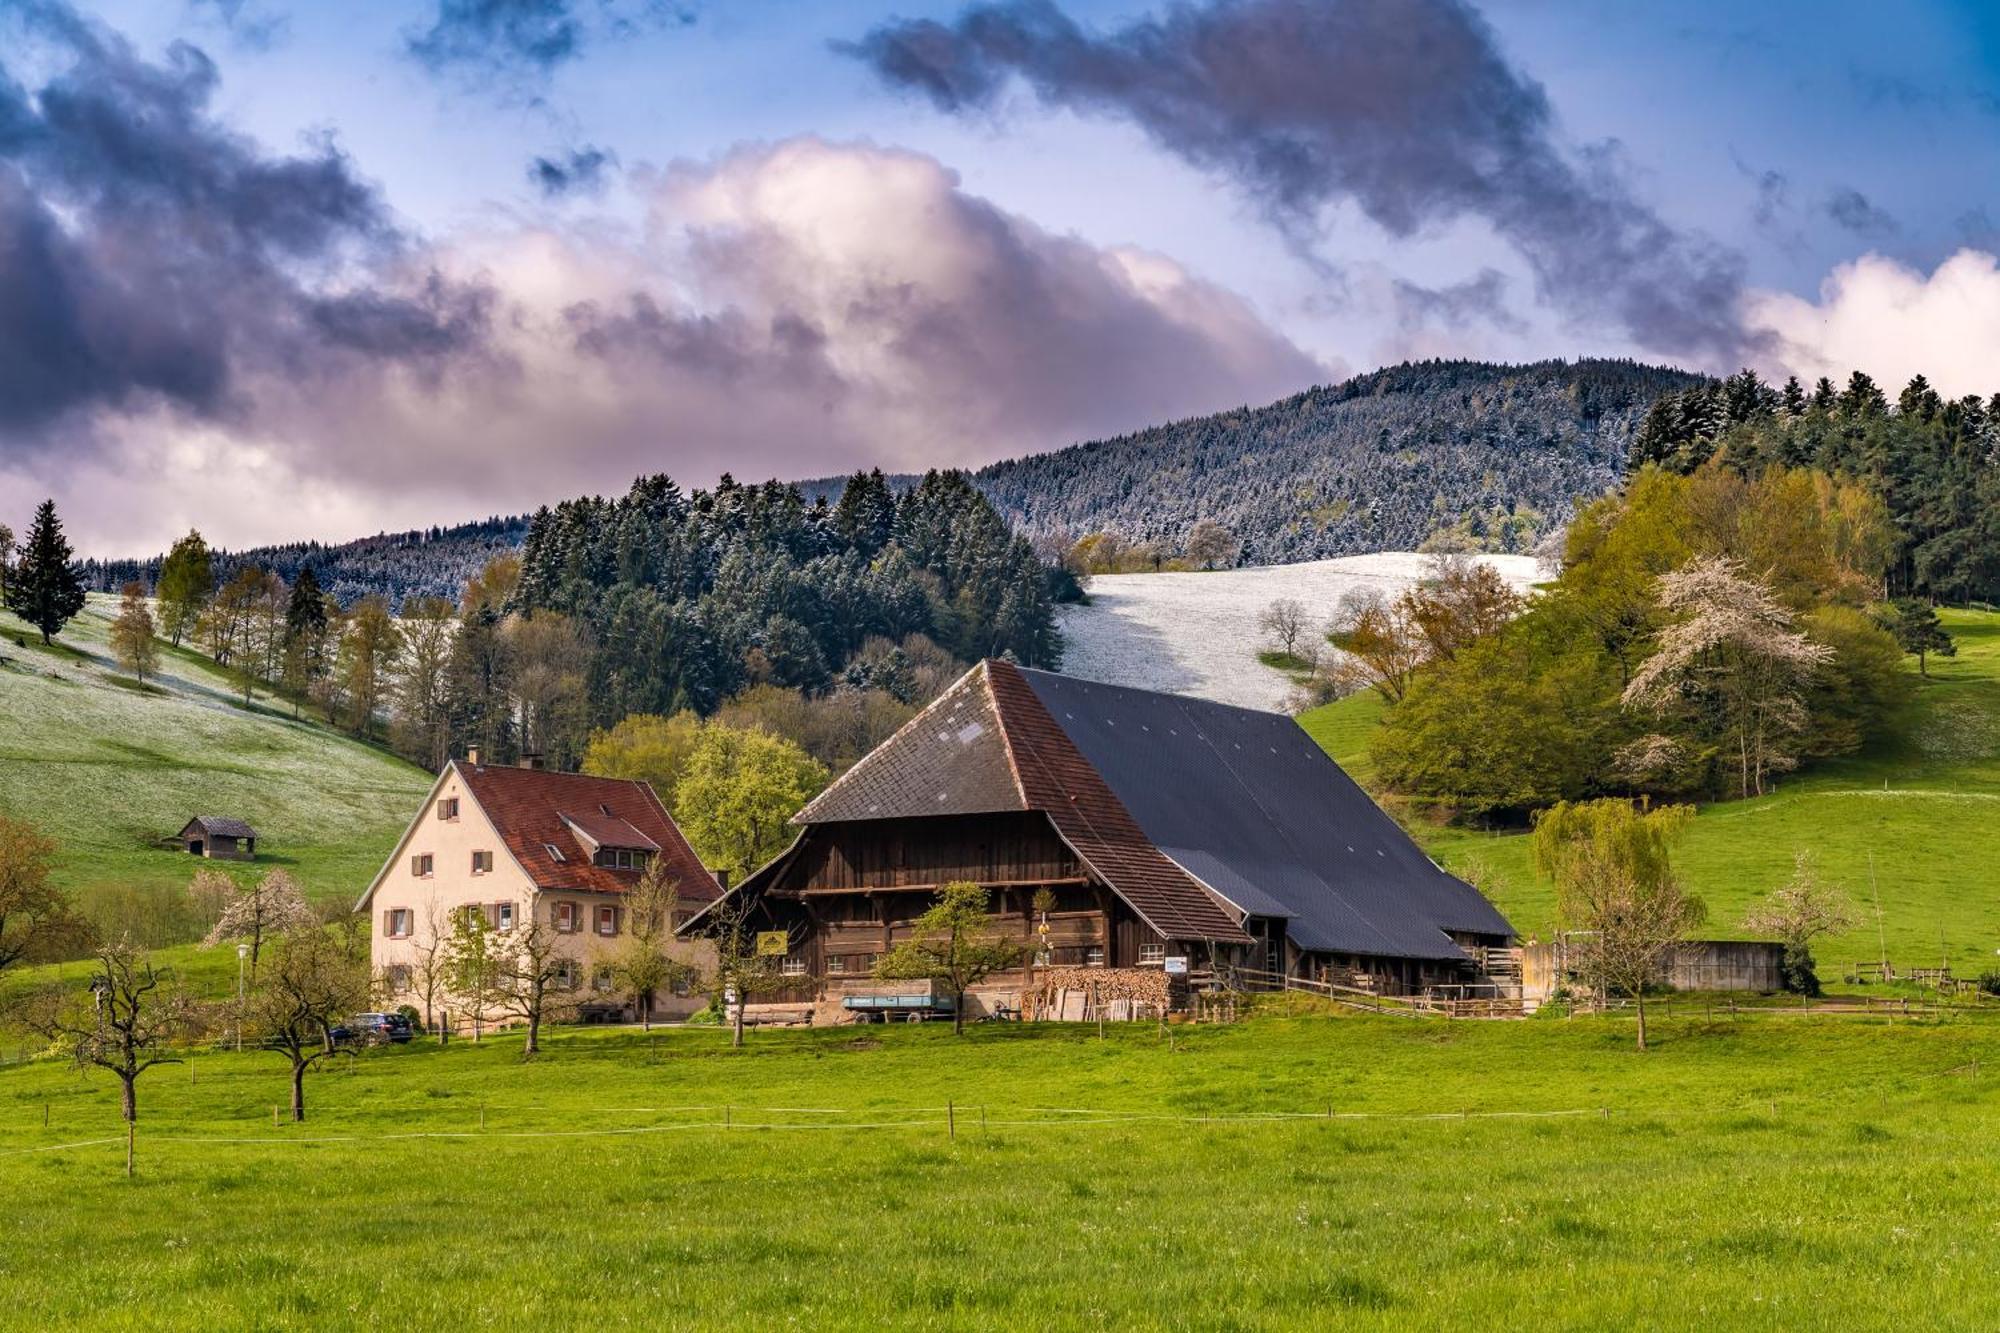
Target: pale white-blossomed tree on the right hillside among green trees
x,y
1731,665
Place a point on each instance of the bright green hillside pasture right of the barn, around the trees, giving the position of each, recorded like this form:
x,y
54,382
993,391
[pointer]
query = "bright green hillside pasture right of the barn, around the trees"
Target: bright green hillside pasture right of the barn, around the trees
x,y
1913,828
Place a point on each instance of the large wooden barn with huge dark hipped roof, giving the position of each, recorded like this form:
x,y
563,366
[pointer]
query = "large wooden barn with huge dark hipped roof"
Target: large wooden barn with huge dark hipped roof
x,y
1165,828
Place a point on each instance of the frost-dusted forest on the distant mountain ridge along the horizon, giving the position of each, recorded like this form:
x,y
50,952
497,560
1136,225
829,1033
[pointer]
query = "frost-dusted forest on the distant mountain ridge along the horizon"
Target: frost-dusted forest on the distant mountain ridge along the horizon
x,y
1387,461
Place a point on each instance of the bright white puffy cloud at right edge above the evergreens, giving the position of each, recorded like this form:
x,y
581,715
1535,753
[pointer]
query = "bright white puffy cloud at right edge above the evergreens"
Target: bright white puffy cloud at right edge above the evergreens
x,y
1891,321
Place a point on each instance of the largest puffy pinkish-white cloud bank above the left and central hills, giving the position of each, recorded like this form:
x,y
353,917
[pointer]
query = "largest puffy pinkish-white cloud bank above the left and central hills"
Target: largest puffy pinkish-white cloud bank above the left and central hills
x,y
789,309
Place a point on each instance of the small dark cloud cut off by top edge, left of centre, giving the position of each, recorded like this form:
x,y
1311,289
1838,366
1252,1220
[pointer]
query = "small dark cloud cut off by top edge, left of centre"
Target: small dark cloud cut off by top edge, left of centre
x,y
527,37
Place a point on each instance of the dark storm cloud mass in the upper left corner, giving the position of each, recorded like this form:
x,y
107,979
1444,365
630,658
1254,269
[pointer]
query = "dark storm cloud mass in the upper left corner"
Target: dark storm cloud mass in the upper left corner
x,y
157,257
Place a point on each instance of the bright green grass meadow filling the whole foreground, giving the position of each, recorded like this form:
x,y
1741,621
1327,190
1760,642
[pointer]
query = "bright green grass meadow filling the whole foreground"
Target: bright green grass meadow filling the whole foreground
x,y
1767,1174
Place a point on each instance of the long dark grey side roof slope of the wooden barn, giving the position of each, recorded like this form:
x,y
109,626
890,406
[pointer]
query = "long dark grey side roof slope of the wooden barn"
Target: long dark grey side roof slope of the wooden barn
x,y
1253,808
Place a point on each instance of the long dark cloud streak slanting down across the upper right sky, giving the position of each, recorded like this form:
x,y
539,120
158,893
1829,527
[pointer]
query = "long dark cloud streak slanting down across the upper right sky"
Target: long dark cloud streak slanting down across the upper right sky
x,y
1405,107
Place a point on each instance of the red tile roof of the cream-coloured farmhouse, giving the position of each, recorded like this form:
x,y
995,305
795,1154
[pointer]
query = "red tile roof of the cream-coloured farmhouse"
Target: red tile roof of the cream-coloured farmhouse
x,y
529,806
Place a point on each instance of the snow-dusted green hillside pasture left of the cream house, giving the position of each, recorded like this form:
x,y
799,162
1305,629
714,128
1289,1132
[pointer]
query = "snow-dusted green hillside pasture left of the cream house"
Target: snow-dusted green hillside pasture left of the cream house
x,y
111,768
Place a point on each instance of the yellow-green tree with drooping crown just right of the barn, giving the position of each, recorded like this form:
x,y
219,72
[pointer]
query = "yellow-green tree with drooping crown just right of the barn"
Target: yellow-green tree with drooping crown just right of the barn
x,y
1623,910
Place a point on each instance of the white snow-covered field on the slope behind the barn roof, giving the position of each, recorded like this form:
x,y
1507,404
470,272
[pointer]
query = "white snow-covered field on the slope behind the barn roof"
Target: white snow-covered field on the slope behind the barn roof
x,y
1199,633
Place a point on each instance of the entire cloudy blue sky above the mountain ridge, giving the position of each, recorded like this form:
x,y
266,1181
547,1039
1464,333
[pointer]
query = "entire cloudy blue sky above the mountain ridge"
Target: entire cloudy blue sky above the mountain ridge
x,y
317,269
